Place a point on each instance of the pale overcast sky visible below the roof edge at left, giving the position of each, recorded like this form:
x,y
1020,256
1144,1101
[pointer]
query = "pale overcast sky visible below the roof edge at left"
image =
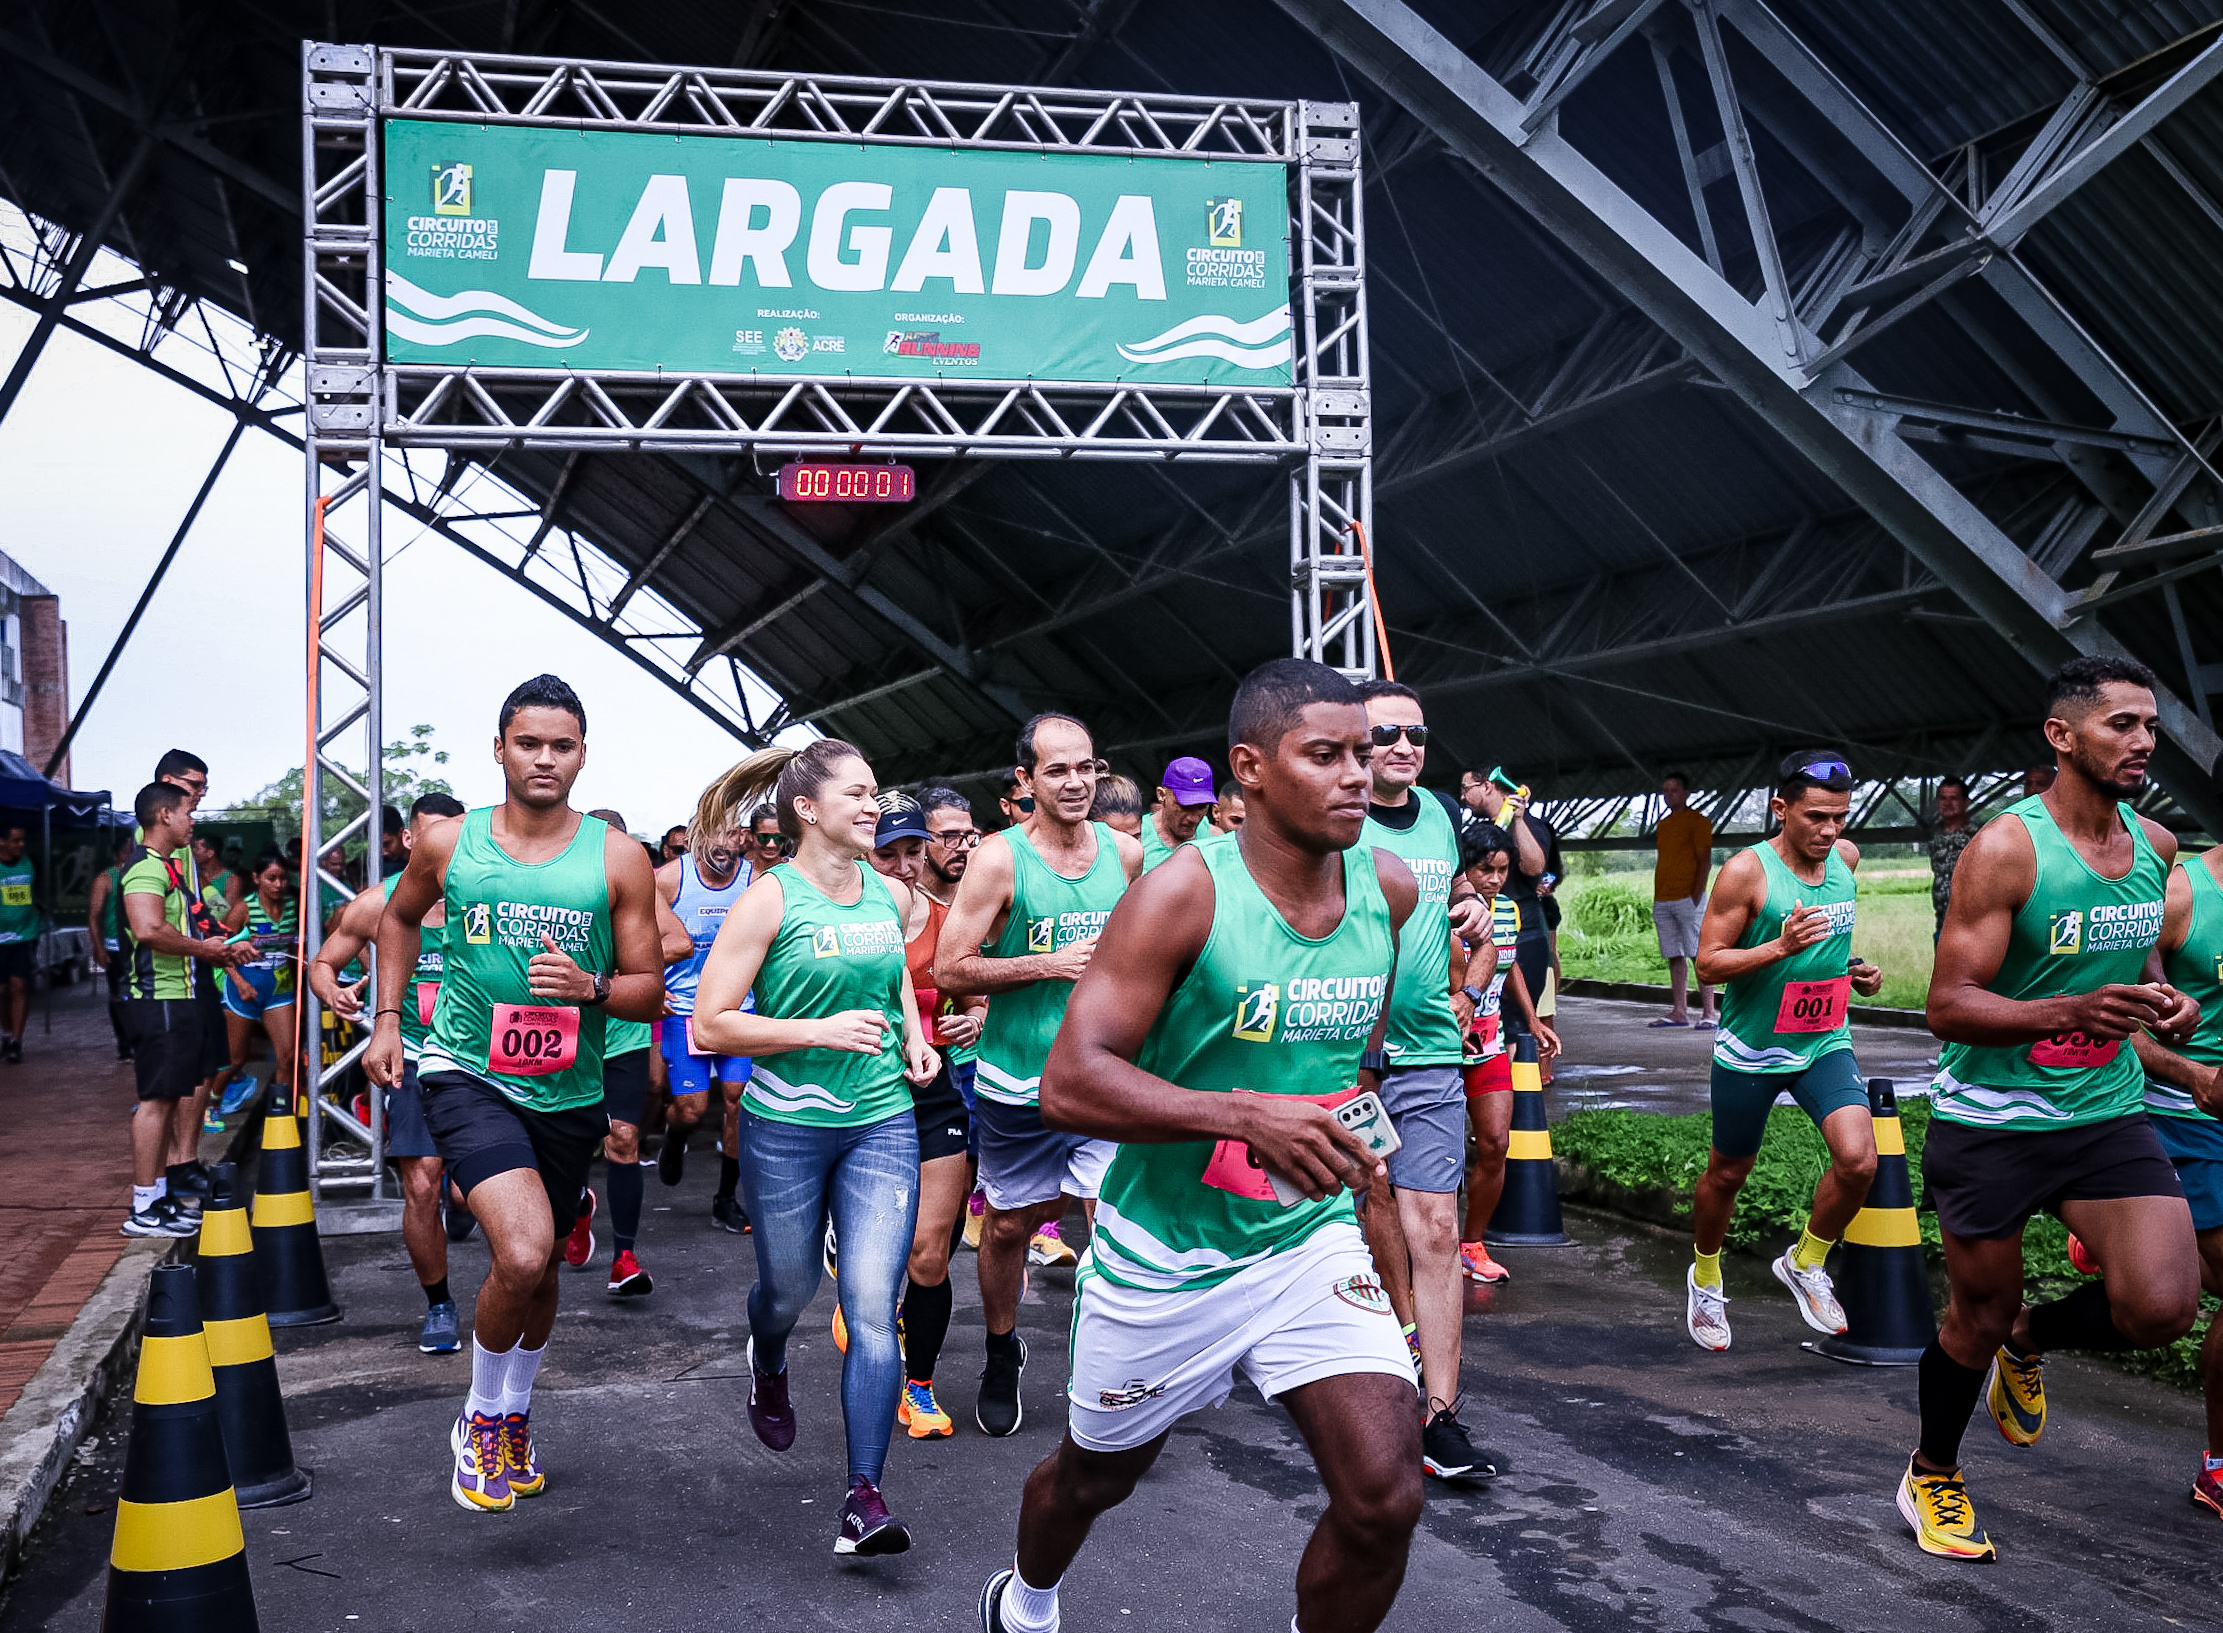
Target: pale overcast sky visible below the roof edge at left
x,y
99,463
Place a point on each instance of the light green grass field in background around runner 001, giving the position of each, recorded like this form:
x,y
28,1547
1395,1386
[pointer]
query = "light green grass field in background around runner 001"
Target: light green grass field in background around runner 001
x,y
1611,936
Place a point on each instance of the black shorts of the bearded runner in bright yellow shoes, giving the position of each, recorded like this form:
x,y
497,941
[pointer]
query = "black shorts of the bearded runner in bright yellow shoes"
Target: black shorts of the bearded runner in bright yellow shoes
x,y
1986,1183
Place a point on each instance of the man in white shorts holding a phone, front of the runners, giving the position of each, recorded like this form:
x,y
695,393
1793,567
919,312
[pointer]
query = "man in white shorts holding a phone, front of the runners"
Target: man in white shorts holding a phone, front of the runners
x,y
1237,990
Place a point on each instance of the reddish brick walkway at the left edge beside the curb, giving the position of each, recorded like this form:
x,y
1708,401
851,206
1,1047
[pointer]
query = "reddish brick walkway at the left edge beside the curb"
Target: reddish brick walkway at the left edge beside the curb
x,y
66,1174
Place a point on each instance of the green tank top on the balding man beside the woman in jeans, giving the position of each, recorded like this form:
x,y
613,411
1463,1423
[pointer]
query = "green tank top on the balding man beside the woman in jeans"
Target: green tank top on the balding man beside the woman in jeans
x,y
1048,912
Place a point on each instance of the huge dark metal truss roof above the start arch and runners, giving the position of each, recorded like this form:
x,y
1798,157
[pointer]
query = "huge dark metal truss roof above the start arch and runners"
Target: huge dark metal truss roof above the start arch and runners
x,y
1746,372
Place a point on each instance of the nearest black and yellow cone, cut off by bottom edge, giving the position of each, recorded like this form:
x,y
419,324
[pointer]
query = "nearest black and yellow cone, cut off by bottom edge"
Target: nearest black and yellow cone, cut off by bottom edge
x,y
179,1563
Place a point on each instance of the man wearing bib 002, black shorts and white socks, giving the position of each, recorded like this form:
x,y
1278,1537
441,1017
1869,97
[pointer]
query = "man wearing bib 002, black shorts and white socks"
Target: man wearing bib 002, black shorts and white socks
x,y
550,936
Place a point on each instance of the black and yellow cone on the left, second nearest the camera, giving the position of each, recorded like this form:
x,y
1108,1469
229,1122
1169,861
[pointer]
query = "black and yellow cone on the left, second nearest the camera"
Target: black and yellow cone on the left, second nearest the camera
x,y
248,1401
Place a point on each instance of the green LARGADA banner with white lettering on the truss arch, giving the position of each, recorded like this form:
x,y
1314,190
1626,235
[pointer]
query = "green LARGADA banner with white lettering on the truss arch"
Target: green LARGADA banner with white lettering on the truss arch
x,y
724,254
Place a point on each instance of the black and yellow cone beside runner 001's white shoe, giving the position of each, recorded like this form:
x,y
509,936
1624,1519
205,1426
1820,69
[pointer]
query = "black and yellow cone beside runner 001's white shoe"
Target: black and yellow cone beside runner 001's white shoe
x,y
1882,1272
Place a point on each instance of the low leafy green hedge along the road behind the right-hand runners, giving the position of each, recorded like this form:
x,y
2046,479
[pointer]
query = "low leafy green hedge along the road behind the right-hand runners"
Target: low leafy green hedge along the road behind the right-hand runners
x,y
1648,1152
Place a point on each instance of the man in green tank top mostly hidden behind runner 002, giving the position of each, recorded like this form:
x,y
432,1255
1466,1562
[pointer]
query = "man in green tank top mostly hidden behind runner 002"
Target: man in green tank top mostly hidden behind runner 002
x,y
410,1141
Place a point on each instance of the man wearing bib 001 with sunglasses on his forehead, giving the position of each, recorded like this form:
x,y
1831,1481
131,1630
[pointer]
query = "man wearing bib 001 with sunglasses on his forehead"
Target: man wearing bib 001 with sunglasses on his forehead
x,y
1777,939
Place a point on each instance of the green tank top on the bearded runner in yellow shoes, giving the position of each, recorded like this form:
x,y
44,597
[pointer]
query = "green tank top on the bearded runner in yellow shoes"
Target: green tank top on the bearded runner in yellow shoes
x,y
2075,934
